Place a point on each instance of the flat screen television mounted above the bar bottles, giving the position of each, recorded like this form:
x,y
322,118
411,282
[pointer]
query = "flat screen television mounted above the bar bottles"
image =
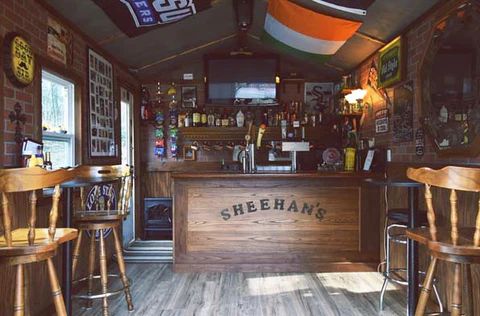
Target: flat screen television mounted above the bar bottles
x,y
245,80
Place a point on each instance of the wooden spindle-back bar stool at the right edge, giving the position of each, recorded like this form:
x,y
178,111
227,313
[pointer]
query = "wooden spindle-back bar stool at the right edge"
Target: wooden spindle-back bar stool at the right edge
x,y
458,245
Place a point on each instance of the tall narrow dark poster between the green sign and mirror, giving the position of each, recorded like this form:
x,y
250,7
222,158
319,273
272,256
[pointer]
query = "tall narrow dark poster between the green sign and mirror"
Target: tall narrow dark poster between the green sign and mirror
x,y
403,113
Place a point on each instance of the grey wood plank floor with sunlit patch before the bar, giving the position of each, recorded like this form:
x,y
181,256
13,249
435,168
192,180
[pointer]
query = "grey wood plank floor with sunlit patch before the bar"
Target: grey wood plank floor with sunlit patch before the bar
x,y
158,291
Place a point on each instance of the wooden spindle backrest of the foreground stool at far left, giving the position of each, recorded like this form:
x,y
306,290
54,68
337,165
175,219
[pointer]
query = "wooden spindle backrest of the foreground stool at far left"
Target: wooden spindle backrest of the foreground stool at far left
x,y
29,180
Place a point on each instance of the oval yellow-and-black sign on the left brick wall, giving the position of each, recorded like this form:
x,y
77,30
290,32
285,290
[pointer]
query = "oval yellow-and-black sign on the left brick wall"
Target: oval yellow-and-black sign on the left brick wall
x,y
19,60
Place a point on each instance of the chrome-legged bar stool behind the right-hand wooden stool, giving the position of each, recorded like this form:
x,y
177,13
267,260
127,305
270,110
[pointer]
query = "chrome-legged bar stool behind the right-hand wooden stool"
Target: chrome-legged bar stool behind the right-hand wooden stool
x,y
395,232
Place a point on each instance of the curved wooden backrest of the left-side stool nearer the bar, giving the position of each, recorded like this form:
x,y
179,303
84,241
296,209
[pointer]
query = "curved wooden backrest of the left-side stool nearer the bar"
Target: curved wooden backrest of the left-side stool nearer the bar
x,y
120,173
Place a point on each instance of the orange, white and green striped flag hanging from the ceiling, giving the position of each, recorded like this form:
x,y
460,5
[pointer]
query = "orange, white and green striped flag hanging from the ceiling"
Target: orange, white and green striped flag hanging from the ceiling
x,y
305,33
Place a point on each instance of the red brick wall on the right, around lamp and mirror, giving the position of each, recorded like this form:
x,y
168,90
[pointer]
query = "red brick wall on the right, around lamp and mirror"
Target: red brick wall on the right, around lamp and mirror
x,y
417,40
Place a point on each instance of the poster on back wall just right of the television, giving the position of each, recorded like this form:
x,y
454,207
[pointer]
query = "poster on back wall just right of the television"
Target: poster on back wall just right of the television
x,y
318,96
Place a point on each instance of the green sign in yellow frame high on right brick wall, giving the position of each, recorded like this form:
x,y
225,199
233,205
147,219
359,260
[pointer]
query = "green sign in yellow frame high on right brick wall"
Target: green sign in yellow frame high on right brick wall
x,y
390,63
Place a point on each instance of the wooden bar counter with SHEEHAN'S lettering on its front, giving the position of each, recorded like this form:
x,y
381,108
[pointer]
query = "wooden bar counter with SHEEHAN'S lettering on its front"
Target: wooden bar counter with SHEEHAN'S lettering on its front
x,y
274,222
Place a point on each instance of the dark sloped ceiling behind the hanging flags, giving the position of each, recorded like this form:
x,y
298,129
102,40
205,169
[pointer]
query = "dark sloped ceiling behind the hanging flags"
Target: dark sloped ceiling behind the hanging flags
x,y
166,52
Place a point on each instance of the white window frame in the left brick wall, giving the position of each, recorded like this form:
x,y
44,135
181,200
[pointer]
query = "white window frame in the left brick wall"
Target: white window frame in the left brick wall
x,y
70,127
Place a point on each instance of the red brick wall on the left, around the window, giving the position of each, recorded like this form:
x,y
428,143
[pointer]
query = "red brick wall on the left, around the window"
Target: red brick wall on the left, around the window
x,y
30,19
